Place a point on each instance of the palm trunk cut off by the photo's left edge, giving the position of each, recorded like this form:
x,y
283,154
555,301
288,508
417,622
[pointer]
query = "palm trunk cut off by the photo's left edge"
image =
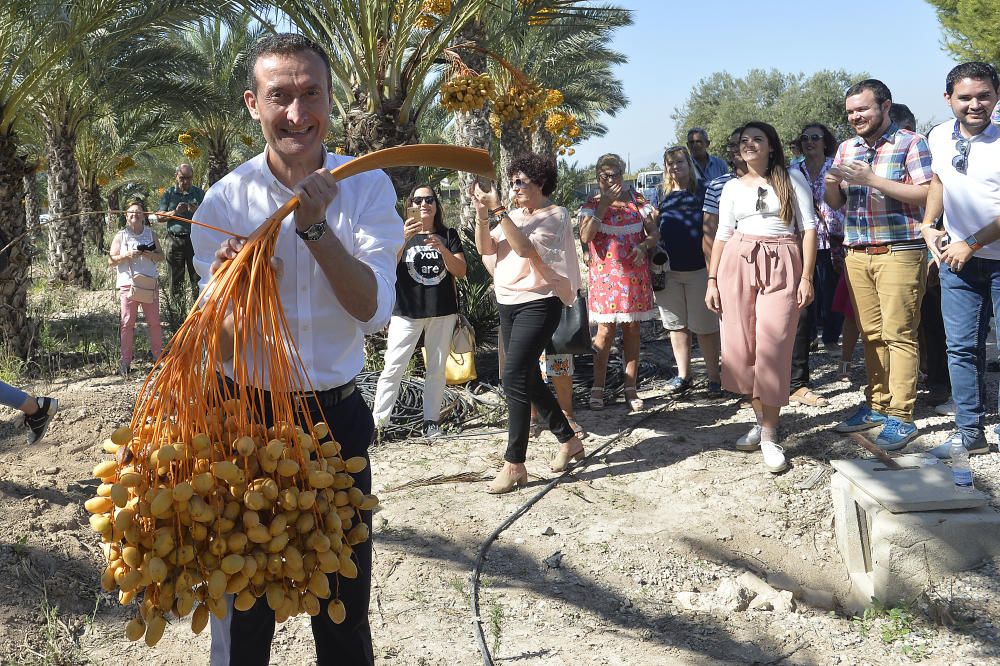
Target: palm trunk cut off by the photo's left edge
x,y
16,330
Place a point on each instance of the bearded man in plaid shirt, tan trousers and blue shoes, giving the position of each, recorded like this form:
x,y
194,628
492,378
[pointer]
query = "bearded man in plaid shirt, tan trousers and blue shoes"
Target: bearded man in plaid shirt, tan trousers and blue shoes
x,y
882,176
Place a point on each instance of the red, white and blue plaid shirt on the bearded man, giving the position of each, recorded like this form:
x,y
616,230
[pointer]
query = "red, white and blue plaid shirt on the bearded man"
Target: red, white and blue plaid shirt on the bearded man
x,y
872,217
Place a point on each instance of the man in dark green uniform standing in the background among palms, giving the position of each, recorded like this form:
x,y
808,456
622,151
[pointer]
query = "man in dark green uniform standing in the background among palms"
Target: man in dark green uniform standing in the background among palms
x,y
181,200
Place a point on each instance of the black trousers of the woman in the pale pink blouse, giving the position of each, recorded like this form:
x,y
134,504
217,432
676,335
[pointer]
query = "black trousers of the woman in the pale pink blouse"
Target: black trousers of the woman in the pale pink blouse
x,y
526,329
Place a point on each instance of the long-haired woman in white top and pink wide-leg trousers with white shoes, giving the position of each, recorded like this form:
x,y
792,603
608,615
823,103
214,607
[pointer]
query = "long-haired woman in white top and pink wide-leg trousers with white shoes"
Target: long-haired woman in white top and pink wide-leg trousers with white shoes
x,y
760,278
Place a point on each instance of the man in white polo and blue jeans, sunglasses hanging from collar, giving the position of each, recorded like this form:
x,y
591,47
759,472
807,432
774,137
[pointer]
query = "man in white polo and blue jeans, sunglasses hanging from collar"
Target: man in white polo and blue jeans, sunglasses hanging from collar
x,y
965,156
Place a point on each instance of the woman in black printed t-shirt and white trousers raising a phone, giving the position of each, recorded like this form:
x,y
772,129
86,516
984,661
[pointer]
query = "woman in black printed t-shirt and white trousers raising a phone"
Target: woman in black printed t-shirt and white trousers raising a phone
x,y
426,302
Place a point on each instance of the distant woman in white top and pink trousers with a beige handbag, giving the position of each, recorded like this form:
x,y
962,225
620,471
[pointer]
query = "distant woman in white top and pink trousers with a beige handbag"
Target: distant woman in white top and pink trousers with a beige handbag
x,y
136,250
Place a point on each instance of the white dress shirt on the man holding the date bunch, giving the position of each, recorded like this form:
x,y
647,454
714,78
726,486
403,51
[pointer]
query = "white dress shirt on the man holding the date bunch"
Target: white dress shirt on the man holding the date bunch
x,y
363,217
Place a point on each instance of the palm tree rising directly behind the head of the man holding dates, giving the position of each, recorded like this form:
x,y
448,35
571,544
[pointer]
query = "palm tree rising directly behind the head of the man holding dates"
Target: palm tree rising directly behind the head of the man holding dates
x,y
384,54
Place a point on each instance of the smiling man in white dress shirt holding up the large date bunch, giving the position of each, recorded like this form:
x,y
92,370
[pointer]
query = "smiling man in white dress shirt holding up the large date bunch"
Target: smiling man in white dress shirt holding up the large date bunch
x,y
337,254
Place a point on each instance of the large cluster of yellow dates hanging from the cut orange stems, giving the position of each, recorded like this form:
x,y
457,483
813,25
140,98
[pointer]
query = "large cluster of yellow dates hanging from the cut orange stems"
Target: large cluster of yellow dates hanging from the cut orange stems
x,y
183,523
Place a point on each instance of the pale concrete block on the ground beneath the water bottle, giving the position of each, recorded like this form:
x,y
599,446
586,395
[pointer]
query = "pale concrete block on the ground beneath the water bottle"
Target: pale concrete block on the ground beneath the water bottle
x,y
896,556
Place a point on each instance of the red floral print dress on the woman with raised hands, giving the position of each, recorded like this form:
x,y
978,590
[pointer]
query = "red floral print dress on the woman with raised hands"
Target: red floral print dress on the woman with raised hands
x,y
619,289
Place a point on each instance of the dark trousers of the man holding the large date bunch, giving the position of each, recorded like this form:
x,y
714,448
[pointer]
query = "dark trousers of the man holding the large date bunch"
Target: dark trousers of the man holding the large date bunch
x,y
347,644
